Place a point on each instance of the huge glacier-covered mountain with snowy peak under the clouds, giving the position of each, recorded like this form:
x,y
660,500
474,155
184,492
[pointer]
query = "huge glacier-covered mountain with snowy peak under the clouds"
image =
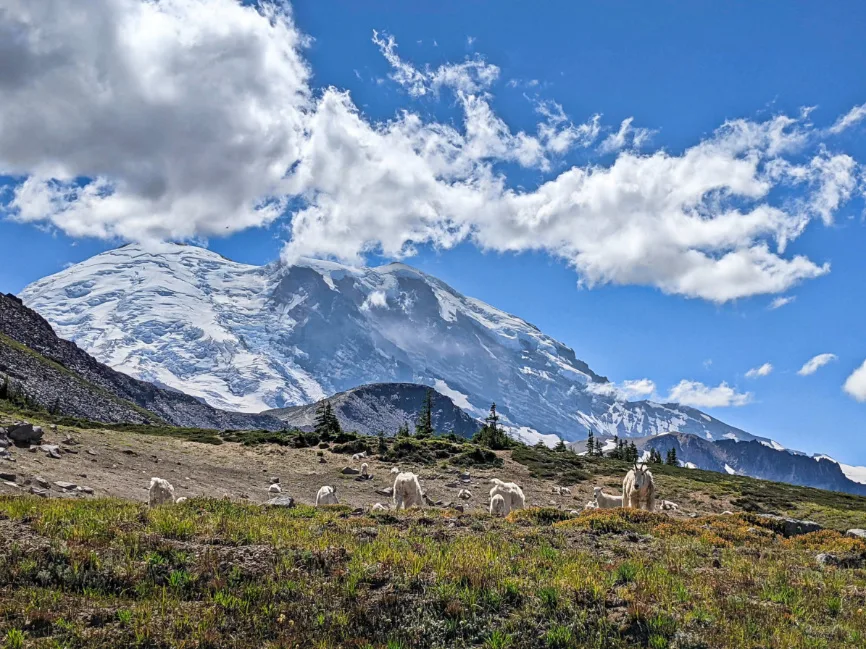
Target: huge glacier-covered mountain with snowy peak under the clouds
x,y
252,338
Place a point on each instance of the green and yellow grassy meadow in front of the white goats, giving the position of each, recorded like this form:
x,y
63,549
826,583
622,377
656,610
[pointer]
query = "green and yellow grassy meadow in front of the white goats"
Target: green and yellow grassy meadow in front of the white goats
x,y
211,573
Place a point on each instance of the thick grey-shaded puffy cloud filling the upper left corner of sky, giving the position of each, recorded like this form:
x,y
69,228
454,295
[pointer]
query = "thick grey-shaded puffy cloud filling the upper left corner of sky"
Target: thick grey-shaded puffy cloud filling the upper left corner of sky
x,y
146,120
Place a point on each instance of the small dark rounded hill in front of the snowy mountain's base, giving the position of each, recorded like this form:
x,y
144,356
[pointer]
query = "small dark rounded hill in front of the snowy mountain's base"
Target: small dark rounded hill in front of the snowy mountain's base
x,y
384,407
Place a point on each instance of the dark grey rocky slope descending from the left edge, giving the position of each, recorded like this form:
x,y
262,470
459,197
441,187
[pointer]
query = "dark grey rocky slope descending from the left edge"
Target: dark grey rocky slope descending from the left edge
x,y
55,374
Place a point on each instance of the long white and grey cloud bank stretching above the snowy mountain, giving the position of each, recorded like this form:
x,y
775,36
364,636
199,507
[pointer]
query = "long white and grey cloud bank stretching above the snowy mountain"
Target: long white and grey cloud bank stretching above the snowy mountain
x,y
193,118
